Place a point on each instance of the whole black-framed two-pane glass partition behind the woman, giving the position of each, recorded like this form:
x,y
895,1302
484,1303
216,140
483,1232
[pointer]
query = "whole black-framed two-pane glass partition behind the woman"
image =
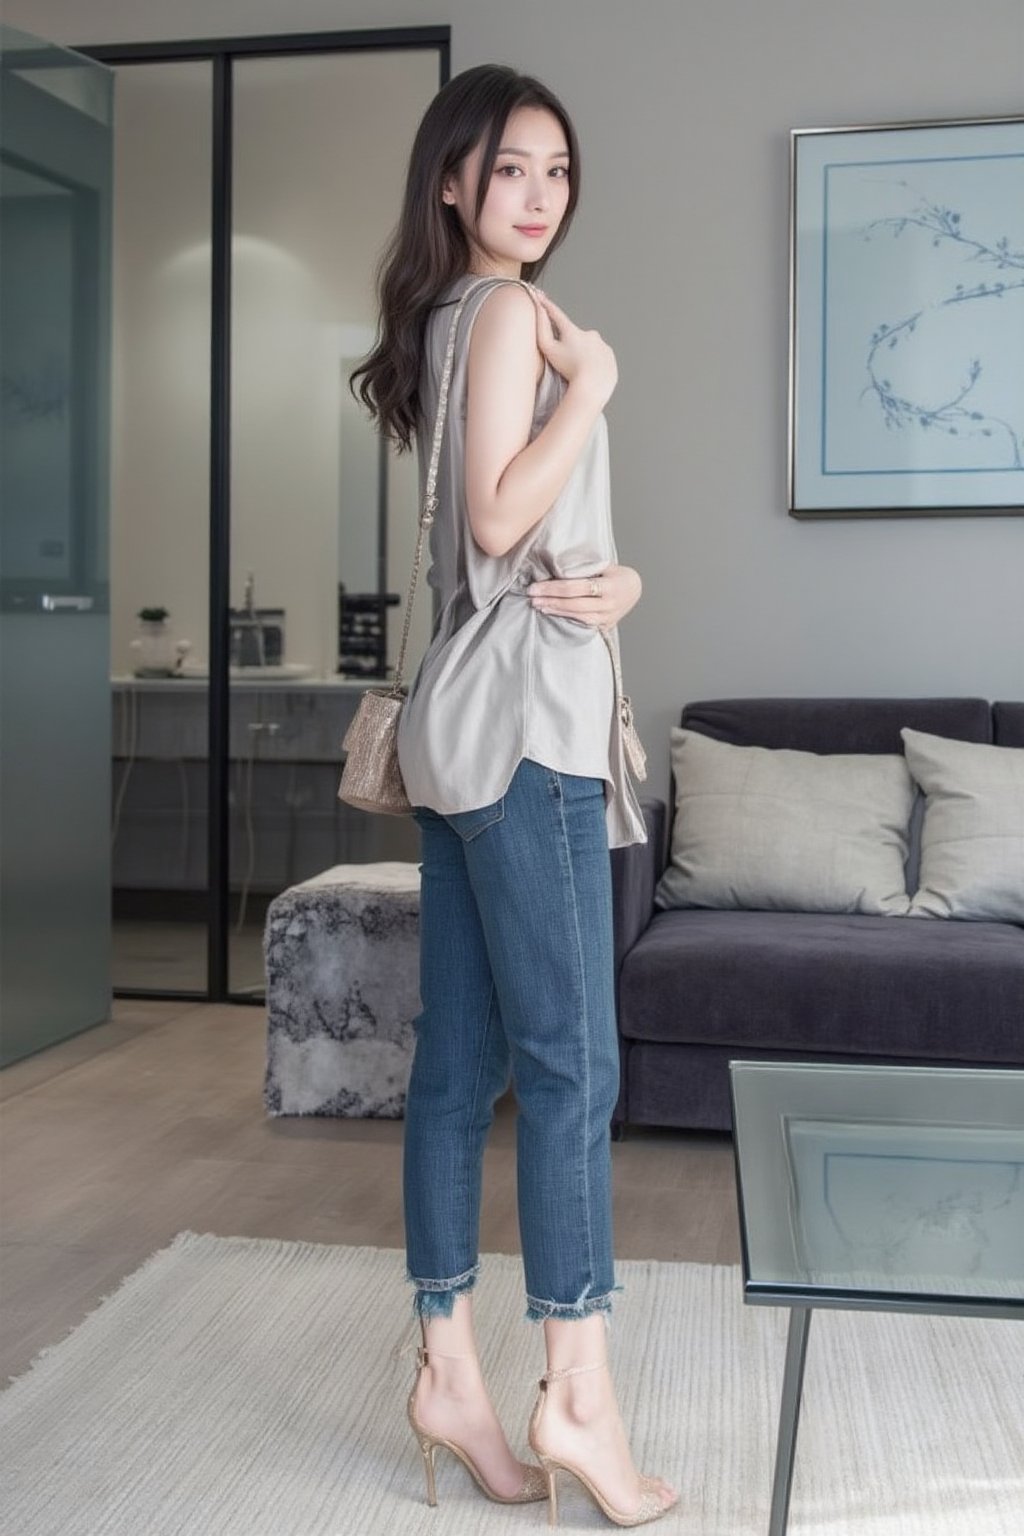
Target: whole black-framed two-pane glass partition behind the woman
x,y
263,534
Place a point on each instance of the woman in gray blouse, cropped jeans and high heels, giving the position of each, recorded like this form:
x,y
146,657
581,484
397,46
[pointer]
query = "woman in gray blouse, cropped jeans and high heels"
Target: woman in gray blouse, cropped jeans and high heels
x,y
512,753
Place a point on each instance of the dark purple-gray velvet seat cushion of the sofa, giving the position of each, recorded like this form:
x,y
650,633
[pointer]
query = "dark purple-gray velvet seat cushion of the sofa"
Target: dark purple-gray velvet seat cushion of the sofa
x,y
827,982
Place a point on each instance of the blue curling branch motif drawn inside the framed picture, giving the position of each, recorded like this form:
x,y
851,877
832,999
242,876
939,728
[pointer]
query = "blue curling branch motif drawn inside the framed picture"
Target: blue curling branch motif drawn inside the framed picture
x,y
954,415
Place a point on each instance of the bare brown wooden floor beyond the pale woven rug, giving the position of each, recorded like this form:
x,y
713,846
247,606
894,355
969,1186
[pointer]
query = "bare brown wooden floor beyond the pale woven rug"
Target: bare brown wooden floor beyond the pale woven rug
x,y
154,1124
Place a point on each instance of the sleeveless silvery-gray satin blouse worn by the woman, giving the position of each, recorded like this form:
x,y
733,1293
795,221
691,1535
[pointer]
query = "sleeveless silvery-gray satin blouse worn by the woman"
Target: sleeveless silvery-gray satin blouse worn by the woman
x,y
500,680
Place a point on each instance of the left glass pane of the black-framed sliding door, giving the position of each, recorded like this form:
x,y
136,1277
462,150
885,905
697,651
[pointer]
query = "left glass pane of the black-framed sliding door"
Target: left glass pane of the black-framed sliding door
x,y
160,525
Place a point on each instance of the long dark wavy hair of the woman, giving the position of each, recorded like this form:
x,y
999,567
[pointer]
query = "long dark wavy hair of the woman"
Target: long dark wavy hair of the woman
x,y
428,250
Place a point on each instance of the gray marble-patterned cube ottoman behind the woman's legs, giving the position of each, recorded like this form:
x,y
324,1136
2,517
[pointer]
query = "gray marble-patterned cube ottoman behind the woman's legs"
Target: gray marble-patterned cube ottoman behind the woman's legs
x,y
342,958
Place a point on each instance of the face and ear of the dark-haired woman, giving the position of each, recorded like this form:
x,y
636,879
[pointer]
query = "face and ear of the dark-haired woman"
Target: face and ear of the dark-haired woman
x,y
527,196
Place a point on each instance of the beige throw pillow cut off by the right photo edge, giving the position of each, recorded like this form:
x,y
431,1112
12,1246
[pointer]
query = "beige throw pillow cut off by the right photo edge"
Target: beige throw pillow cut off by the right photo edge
x,y
973,838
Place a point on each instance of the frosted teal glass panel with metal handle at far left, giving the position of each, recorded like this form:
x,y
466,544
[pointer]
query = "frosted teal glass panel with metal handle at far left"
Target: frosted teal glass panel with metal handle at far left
x,y
56,111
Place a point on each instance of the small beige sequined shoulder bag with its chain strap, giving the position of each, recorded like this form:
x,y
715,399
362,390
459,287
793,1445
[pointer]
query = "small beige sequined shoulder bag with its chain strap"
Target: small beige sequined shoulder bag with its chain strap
x,y
372,778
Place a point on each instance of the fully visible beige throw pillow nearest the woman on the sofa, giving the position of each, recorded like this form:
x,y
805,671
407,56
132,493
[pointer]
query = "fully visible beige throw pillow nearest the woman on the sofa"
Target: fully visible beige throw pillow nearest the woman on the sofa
x,y
779,830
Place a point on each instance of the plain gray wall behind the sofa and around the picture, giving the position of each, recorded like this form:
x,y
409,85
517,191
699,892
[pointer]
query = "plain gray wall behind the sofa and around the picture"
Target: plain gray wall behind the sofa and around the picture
x,y
679,256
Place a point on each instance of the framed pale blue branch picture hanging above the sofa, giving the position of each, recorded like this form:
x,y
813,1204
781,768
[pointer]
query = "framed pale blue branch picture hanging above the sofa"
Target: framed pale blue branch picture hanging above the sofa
x,y
907,320
